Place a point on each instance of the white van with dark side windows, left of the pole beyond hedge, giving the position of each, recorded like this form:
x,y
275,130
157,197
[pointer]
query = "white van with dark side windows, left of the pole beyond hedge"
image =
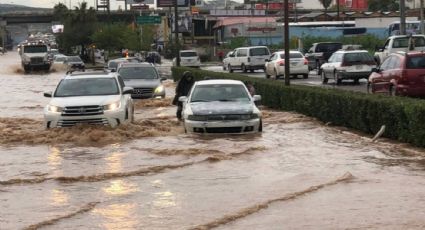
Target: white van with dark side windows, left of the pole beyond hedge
x,y
248,58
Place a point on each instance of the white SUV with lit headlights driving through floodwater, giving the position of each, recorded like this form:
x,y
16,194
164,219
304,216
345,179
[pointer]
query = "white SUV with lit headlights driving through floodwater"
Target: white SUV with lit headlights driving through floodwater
x,y
89,98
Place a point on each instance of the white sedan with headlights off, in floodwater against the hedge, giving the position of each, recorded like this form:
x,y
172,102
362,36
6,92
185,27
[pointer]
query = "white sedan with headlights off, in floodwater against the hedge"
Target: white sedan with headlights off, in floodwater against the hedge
x,y
221,106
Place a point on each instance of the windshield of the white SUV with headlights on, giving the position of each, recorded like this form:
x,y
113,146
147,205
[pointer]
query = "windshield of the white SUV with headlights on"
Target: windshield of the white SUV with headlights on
x,y
87,87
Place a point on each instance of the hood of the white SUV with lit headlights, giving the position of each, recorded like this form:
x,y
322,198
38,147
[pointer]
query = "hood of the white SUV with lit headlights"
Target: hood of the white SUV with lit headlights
x,y
84,100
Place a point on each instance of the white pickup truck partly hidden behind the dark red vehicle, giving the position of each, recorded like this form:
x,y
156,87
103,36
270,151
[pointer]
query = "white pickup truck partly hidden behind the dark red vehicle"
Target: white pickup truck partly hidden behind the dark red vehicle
x,y
399,43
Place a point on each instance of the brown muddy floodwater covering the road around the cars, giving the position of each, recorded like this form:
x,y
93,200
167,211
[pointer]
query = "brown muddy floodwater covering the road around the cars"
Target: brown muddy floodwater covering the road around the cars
x,y
298,174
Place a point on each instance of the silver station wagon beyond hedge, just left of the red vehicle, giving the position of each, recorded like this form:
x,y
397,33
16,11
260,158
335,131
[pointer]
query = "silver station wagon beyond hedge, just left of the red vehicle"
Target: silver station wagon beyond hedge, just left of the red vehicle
x,y
348,64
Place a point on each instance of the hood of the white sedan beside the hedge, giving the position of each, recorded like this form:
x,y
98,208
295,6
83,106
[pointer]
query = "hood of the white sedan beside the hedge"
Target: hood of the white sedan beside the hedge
x,y
218,107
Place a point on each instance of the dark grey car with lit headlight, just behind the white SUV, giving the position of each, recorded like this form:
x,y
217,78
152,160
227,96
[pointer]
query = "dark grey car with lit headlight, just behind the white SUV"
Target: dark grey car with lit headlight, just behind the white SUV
x,y
143,78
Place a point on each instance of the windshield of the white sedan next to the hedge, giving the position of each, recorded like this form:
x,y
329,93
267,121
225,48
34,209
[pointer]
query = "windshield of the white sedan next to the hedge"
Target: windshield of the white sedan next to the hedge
x,y
219,92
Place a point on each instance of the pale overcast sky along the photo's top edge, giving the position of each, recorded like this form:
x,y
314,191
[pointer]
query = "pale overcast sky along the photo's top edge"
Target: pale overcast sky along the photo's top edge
x,y
114,3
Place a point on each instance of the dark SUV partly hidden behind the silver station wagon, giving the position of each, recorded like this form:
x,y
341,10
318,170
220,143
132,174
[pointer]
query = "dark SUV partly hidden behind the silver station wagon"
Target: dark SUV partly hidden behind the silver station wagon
x,y
320,52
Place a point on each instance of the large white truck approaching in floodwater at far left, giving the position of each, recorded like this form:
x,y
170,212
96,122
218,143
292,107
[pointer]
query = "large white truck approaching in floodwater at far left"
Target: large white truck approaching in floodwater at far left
x,y
34,56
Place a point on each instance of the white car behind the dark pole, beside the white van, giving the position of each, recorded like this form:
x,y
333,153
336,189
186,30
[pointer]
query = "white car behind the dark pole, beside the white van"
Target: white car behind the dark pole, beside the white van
x,y
275,66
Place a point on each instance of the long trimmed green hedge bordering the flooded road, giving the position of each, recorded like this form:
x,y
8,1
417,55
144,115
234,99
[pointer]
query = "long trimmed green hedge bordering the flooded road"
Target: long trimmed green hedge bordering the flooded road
x,y
403,117
